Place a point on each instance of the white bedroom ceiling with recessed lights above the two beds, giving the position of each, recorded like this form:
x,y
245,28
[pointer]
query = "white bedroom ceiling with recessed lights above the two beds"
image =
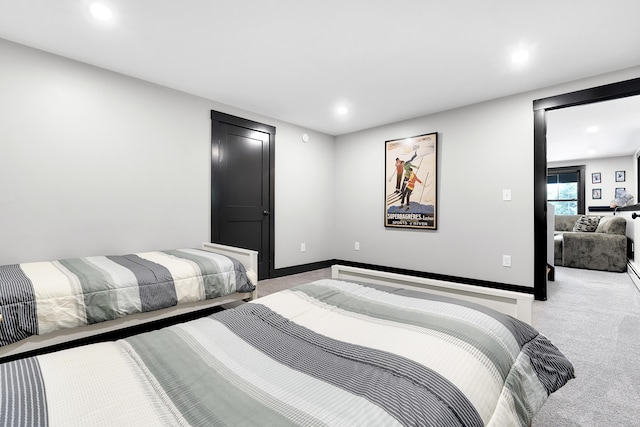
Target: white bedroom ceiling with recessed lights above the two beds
x,y
297,60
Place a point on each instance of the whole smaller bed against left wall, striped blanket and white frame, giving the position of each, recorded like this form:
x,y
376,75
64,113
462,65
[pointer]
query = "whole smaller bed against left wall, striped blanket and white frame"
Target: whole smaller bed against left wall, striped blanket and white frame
x,y
46,304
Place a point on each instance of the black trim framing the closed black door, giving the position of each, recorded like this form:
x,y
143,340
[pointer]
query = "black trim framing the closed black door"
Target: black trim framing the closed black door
x,y
216,119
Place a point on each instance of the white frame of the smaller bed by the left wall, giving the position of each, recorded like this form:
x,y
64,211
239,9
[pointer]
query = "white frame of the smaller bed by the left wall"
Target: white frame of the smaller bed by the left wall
x,y
65,337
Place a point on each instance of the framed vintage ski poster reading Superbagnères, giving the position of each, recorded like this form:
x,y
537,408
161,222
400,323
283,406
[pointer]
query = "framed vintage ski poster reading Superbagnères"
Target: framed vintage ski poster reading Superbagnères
x,y
411,182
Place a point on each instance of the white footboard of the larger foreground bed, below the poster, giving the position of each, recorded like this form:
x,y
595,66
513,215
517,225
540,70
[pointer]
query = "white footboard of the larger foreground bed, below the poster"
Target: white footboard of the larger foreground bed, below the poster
x,y
516,304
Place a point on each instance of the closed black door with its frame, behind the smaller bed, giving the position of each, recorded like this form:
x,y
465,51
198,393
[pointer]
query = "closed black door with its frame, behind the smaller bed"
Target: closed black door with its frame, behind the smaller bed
x,y
242,182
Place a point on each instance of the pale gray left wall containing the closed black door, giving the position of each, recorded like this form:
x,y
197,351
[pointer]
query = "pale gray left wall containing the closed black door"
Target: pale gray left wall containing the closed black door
x,y
94,162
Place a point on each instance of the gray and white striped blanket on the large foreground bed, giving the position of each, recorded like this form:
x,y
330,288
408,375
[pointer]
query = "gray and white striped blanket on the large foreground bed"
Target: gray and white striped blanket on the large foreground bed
x,y
325,353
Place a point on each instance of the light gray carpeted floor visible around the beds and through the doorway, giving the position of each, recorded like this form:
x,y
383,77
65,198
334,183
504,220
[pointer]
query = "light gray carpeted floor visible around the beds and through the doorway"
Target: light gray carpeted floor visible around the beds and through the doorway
x,y
594,318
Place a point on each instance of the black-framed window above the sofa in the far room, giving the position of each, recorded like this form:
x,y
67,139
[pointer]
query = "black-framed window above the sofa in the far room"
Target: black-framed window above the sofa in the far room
x,y
565,190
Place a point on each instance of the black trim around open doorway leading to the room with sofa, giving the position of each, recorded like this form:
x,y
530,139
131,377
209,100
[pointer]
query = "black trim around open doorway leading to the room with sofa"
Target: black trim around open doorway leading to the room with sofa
x,y
540,107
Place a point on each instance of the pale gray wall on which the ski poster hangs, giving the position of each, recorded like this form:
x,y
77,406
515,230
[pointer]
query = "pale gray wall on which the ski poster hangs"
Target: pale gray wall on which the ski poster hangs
x,y
483,149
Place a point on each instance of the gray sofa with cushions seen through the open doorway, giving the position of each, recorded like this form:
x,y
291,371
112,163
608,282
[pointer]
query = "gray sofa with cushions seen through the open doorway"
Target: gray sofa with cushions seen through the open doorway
x,y
604,248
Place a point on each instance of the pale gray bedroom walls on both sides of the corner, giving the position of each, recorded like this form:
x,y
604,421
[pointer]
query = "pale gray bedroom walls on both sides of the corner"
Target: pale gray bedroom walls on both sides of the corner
x,y
94,162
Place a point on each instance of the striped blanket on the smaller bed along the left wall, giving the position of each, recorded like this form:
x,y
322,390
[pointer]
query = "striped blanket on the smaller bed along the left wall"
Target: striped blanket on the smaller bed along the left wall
x,y
40,297
